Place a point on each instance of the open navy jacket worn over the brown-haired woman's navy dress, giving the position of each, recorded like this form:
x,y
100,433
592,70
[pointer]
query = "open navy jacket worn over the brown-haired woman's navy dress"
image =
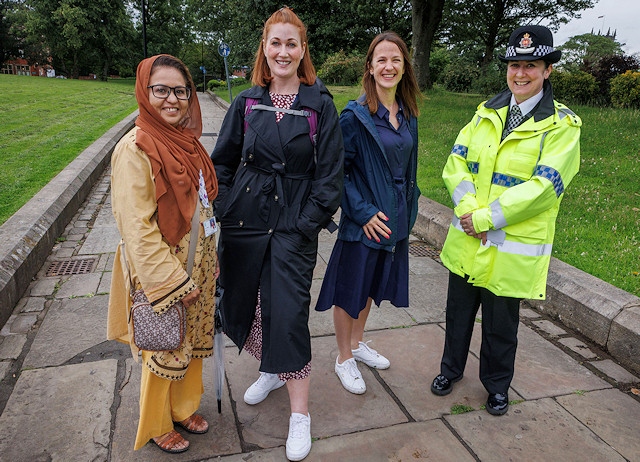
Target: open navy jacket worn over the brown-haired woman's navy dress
x,y
368,179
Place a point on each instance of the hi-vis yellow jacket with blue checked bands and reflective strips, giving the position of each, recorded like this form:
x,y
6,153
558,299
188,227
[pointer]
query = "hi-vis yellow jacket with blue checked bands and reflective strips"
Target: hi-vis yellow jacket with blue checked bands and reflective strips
x,y
514,189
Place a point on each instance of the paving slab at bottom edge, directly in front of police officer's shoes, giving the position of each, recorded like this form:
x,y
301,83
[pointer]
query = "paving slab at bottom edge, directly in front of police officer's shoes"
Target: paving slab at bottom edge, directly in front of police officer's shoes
x,y
540,430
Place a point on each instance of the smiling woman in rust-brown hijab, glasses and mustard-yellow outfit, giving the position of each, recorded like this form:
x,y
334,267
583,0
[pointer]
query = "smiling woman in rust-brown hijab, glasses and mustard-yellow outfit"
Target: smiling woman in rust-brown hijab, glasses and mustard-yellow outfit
x,y
159,172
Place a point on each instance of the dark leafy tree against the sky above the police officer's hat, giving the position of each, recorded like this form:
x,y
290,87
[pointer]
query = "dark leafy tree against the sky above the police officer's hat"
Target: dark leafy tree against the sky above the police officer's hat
x,y
488,23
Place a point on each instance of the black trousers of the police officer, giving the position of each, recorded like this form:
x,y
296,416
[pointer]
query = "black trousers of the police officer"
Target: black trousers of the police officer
x,y
500,318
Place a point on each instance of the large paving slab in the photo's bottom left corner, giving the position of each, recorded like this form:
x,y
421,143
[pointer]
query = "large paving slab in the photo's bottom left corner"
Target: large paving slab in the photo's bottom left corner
x,y
60,414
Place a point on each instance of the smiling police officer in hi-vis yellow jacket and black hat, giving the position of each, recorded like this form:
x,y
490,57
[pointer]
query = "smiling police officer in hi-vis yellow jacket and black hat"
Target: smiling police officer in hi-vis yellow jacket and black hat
x,y
506,174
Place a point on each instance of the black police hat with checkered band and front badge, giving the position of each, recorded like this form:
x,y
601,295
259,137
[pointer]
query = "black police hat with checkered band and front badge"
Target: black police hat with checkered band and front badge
x,y
529,43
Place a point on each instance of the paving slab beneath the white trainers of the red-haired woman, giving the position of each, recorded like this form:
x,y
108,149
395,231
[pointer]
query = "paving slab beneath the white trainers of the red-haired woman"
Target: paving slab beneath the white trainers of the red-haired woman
x,y
265,425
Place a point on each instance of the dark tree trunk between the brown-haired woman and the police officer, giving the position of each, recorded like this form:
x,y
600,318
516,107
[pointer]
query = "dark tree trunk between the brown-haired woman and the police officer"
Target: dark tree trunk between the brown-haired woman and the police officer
x,y
426,17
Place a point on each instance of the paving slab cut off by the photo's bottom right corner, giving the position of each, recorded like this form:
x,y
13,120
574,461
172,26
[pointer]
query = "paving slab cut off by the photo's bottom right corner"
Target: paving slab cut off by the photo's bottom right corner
x,y
602,411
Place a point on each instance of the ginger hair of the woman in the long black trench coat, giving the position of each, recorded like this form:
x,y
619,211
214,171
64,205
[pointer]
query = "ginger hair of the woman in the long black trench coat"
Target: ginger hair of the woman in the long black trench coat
x,y
261,73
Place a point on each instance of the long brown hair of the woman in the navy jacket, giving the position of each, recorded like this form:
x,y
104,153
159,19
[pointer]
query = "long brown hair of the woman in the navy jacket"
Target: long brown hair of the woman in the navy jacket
x,y
408,90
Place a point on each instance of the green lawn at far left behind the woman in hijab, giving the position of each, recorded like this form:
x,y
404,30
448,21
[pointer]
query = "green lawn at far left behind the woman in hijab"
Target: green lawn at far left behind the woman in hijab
x,y
45,123
